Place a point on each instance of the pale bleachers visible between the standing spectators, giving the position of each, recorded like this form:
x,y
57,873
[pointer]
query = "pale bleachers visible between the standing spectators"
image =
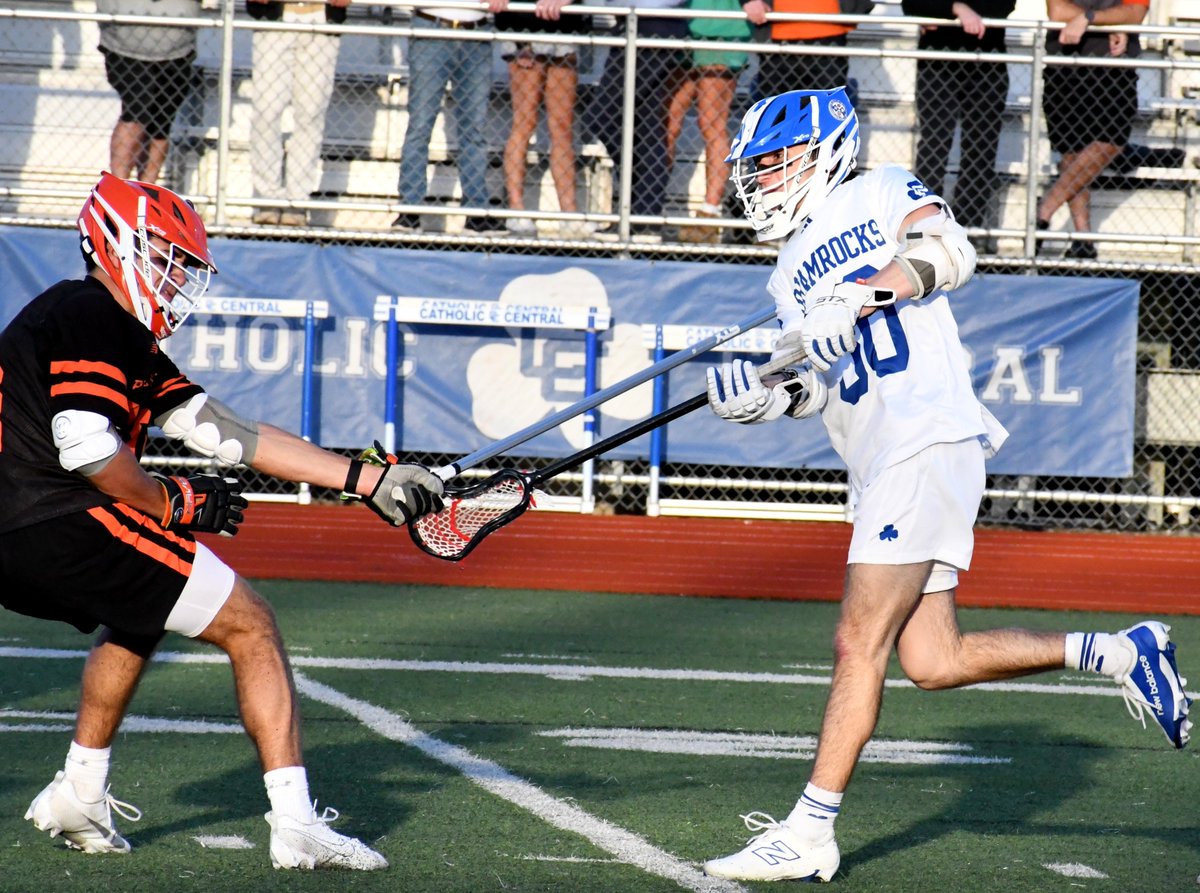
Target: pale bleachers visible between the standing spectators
x,y
58,111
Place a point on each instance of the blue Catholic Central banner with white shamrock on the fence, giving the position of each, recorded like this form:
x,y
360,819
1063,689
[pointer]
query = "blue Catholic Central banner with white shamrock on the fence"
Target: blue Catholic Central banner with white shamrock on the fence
x,y
1052,357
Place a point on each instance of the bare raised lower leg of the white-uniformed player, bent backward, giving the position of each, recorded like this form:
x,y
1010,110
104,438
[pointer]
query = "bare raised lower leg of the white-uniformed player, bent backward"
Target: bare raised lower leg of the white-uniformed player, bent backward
x,y
935,655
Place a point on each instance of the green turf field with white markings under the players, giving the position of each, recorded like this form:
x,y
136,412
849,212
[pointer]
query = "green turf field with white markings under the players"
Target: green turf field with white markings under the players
x,y
515,741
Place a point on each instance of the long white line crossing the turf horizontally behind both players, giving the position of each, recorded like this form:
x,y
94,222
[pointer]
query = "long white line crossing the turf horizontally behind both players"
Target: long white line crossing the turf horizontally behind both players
x,y
580,674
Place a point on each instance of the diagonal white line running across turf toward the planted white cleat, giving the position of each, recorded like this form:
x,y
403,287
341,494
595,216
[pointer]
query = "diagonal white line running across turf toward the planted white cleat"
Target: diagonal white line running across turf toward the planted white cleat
x,y
623,844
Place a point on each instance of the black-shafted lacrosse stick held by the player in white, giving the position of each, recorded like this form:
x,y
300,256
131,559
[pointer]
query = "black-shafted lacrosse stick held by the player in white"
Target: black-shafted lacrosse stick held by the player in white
x,y
475,512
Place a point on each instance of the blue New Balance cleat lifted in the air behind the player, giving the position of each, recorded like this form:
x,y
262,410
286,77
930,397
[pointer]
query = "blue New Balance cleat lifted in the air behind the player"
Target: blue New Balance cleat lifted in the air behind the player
x,y
1155,685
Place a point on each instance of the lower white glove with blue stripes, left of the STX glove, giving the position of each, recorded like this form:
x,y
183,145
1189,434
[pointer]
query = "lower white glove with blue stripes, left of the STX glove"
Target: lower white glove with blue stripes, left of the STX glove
x,y
737,394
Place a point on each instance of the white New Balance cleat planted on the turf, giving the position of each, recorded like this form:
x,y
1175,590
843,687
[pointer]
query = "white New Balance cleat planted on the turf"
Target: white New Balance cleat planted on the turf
x,y
777,854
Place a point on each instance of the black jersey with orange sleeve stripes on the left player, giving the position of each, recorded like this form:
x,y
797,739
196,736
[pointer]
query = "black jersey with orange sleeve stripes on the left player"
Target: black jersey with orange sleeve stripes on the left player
x,y
74,347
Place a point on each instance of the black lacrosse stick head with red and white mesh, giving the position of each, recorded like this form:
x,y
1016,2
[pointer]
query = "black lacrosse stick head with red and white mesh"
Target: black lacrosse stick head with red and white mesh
x,y
471,514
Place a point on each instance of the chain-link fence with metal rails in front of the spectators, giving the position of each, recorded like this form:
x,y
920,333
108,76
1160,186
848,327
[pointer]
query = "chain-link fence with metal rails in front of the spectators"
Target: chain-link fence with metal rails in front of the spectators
x,y
604,137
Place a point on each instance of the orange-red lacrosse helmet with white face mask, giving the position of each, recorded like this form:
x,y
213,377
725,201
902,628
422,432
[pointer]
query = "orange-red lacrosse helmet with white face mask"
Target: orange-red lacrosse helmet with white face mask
x,y
161,284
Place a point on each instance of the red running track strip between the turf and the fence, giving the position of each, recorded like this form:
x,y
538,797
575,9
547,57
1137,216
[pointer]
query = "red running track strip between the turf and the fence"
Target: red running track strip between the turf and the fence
x,y
1102,572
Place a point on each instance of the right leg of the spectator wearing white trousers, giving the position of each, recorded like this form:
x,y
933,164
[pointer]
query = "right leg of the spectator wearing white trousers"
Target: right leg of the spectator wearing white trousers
x,y
314,62
